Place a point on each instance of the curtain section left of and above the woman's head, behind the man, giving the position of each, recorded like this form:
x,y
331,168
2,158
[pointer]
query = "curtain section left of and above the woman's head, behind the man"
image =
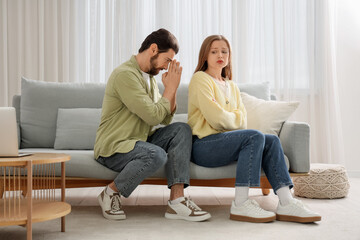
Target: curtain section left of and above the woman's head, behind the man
x,y
84,40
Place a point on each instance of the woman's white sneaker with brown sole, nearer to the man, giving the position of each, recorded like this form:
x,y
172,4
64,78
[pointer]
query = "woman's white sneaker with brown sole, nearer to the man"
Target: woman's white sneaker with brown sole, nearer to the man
x,y
250,211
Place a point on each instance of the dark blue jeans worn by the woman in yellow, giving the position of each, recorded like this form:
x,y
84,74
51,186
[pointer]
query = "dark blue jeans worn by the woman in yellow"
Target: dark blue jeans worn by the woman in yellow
x,y
251,149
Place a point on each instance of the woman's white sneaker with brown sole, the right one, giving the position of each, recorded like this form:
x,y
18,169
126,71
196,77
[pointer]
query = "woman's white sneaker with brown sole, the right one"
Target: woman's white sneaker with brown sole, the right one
x,y
296,211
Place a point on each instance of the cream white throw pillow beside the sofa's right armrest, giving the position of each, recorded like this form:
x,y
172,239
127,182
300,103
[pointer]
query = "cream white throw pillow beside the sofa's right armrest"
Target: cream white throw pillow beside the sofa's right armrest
x,y
267,116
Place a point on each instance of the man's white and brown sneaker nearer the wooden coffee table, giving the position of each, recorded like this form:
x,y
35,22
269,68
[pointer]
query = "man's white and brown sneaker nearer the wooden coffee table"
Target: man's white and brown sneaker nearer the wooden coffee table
x,y
111,206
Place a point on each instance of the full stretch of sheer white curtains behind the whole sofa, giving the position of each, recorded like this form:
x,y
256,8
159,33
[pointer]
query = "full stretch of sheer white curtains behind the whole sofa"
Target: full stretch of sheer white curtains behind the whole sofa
x,y
291,44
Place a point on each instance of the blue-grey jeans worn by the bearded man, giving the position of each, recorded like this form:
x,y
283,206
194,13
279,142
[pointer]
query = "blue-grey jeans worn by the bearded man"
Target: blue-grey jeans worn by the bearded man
x,y
169,146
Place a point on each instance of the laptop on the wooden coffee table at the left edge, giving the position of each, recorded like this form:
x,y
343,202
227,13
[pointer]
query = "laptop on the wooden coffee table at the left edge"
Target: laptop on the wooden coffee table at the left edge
x,y
8,134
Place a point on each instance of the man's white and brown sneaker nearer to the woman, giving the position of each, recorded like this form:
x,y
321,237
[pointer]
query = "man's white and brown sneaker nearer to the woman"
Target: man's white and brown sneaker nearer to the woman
x,y
186,210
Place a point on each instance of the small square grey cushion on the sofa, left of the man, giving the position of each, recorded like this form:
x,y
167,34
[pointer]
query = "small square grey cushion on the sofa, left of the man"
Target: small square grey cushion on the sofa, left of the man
x,y
76,128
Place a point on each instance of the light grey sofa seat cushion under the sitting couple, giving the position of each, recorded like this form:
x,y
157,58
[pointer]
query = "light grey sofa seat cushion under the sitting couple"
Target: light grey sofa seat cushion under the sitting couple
x,y
83,164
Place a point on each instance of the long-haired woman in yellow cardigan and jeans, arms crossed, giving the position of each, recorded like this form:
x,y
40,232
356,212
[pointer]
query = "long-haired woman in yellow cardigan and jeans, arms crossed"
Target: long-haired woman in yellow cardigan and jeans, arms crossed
x,y
218,120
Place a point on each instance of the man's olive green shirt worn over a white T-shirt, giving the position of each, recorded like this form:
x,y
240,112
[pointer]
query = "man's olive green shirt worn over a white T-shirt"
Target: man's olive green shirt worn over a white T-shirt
x,y
129,111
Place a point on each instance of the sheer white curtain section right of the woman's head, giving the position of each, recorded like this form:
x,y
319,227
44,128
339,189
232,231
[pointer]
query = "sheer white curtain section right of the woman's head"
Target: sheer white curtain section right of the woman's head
x,y
291,44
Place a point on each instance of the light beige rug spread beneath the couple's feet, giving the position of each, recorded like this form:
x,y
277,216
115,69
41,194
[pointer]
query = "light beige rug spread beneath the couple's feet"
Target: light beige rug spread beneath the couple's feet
x,y
341,220
